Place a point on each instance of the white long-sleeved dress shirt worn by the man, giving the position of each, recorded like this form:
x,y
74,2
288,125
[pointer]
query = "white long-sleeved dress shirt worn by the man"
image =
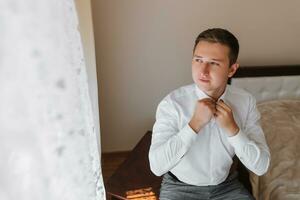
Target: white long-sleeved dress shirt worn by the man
x,y
205,158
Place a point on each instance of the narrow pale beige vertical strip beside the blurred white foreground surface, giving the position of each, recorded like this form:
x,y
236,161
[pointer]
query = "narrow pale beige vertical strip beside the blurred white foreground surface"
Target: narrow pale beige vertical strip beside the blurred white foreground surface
x,y
85,27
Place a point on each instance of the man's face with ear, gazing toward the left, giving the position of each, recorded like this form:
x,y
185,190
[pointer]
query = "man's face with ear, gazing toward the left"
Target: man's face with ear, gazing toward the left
x,y
210,67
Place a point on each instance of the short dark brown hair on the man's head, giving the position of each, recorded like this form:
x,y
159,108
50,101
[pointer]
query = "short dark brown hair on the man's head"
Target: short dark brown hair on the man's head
x,y
222,36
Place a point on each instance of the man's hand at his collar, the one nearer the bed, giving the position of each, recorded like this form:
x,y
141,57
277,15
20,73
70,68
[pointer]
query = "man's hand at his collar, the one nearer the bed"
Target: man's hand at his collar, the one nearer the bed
x,y
224,118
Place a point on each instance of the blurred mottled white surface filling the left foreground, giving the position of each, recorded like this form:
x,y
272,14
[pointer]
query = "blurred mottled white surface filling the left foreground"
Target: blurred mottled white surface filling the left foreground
x,y
48,143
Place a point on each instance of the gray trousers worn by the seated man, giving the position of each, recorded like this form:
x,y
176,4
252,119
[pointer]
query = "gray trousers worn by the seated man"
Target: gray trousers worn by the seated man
x,y
231,189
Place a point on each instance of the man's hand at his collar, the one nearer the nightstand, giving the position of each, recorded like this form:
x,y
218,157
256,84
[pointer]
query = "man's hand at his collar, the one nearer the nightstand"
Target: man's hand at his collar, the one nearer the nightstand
x,y
204,111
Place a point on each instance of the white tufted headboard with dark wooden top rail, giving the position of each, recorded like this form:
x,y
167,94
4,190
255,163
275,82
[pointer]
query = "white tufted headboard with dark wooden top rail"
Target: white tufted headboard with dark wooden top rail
x,y
269,82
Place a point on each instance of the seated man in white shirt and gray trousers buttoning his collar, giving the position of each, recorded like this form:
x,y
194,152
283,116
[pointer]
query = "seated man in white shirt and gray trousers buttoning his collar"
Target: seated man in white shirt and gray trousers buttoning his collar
x,y
199,128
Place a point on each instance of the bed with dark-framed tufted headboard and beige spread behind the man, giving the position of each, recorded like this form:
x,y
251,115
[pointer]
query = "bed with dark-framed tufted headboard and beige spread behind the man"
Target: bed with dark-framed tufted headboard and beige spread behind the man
x,y
277,90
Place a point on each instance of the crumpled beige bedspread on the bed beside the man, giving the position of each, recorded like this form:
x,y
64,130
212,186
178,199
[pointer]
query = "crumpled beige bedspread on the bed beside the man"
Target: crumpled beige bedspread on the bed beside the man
x,y
280,121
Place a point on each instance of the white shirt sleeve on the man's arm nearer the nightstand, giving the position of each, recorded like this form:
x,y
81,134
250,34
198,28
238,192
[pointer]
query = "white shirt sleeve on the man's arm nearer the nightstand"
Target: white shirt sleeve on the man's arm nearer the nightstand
x,y
169,144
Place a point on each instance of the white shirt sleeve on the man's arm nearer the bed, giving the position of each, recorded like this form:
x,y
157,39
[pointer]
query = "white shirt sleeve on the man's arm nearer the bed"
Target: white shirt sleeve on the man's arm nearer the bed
x,y
250,145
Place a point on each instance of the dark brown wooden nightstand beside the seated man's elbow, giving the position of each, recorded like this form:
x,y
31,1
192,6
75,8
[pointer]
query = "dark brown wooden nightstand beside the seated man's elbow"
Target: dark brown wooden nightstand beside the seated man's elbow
x,y
134,172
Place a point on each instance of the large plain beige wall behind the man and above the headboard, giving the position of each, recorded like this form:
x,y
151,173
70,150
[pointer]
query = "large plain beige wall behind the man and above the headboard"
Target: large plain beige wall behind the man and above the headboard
x,y
143,51
